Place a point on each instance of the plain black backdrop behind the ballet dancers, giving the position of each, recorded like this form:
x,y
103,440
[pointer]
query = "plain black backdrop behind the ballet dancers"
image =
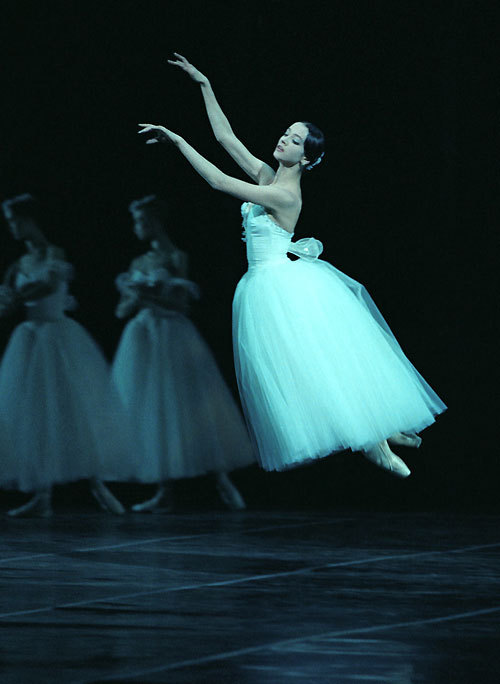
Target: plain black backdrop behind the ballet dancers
x,y
404,201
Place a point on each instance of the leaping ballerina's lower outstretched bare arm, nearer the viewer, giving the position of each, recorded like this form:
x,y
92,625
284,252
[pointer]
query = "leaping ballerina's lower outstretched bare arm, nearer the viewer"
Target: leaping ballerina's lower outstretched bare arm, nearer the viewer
x,y
268,196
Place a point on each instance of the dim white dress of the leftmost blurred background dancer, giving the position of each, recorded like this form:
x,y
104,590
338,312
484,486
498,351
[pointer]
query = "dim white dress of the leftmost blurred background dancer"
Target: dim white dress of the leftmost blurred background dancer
x,y
66,422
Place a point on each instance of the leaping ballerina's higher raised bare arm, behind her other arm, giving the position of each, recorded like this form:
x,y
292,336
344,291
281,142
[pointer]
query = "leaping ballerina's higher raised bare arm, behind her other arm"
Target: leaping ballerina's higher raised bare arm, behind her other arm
x,y
258,171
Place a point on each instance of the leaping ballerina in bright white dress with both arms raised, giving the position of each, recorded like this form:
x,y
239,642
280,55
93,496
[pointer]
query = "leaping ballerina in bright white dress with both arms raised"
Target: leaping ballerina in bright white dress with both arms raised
x,y
318,368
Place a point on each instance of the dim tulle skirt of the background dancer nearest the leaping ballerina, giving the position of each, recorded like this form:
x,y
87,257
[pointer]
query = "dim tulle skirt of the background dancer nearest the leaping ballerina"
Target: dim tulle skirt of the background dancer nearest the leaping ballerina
x,y
187,419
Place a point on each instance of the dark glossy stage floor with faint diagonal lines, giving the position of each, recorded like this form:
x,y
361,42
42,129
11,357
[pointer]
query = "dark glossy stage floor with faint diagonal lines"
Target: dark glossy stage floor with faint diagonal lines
x,y
257,597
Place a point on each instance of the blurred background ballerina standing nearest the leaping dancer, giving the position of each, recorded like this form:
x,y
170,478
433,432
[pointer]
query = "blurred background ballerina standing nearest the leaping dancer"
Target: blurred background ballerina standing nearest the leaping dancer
x,y
181,407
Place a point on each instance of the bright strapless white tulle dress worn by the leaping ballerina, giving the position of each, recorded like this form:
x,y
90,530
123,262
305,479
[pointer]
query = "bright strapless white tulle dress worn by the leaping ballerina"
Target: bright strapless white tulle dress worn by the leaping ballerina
x,y
318,368
